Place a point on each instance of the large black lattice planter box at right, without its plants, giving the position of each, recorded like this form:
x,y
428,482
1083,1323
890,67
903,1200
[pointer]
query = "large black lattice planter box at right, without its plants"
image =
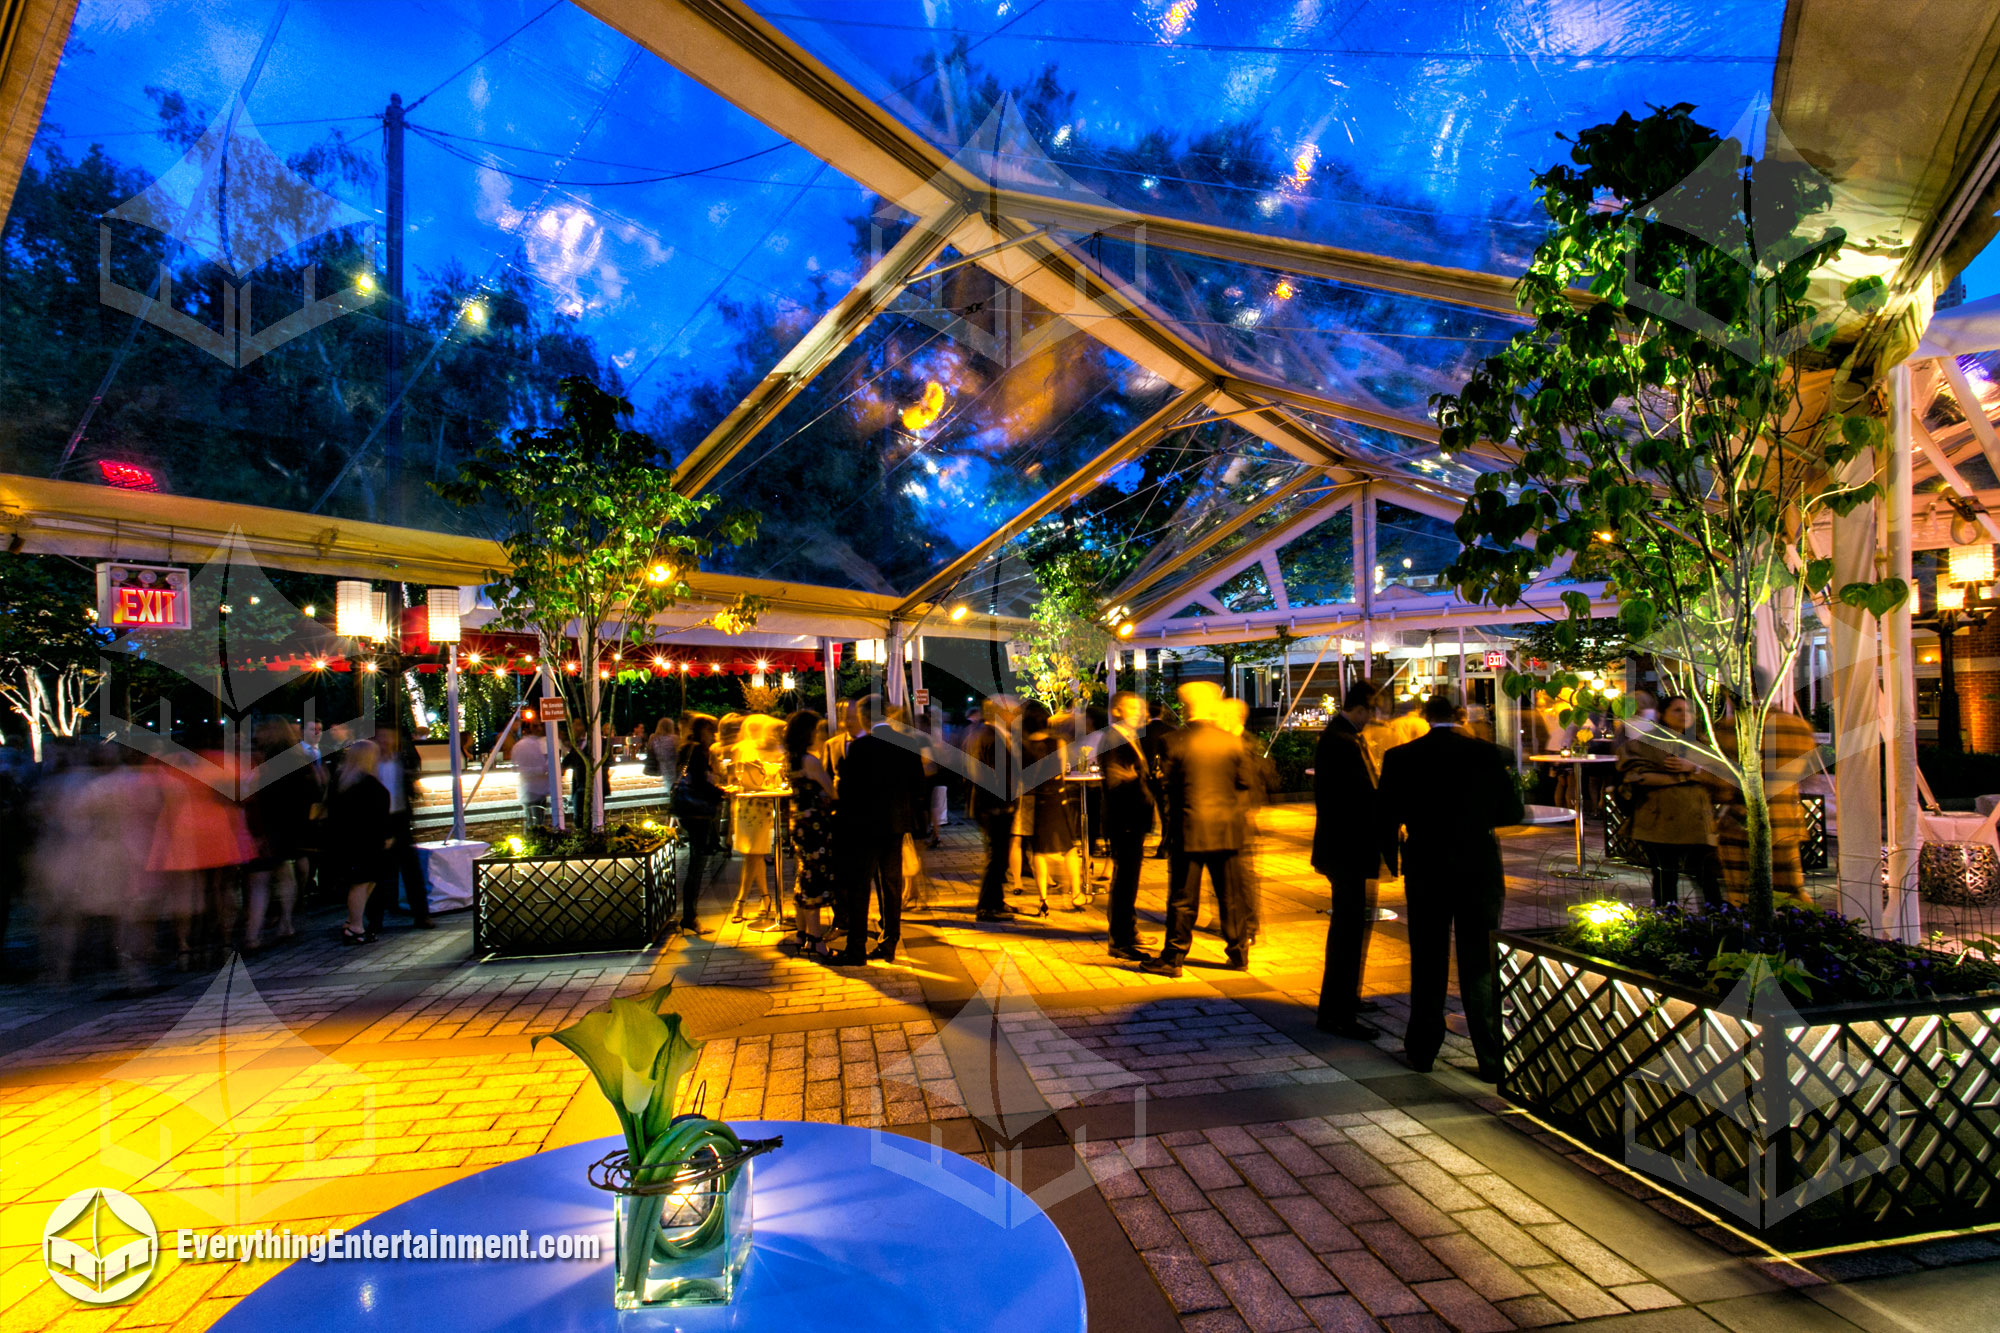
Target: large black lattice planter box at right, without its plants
x,y
1807,1126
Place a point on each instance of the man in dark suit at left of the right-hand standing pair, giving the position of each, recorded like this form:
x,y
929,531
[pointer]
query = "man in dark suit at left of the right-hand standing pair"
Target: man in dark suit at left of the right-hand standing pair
x,y
1347,850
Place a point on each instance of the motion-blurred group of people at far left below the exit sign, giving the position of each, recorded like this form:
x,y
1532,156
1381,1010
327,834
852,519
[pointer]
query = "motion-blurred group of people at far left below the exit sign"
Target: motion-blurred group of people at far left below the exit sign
x,y
173,864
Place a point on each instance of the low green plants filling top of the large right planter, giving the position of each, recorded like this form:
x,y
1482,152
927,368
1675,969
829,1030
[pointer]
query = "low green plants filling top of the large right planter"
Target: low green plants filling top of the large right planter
x,y
1815,956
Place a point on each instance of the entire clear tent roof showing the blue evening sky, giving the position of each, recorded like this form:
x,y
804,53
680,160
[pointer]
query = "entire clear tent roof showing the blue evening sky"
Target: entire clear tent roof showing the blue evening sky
x,y
575,203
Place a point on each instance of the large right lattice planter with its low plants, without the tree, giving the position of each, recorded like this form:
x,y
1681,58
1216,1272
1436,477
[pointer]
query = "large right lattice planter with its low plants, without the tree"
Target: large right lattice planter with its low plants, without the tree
x,y
1805,1082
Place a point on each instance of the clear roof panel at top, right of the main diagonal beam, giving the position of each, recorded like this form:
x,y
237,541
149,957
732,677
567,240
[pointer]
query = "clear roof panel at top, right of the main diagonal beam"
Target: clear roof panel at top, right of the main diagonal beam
x,y
1405,127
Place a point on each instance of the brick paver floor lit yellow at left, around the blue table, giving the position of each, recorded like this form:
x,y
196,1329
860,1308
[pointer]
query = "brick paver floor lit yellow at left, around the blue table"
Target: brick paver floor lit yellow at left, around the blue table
x,y
1223,1166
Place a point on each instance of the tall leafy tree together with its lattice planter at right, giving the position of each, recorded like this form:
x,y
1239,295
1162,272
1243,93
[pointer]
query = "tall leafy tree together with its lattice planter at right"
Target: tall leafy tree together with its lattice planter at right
x,y
1661,437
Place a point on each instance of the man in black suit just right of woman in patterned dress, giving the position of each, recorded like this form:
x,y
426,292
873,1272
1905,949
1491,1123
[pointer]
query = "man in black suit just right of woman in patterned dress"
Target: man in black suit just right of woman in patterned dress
x,y
883,798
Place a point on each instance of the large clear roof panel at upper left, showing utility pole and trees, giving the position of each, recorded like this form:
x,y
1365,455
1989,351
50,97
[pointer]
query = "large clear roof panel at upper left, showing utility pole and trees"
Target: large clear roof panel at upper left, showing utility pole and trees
x,y
573,207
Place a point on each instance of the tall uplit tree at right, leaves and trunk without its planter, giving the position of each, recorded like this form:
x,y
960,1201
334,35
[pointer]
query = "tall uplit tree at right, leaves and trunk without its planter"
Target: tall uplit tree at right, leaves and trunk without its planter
x,y
1659,425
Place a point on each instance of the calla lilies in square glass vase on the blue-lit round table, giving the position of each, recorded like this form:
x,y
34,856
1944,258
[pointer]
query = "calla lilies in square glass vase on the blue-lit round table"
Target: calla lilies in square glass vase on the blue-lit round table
x,y
683,1178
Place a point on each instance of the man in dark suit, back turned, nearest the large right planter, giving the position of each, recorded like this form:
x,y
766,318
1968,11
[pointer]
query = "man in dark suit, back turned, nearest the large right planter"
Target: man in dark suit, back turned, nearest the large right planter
x,y
1449,794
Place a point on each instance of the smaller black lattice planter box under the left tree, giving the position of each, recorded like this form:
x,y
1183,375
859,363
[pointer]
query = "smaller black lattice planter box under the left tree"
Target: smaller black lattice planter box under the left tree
x,y
573,906
